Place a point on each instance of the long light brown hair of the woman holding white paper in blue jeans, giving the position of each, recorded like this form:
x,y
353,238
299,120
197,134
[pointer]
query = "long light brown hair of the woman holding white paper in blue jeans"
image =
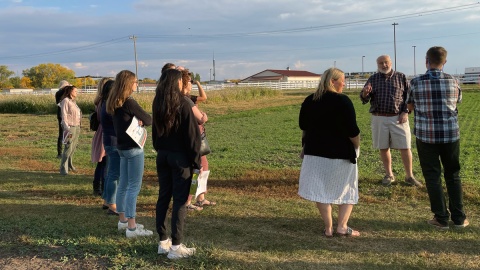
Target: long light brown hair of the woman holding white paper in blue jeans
x,y
121,90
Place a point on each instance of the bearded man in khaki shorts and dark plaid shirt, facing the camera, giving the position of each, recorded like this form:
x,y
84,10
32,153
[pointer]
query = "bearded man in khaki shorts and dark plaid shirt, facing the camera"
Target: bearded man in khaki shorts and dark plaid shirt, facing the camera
x,y
386,91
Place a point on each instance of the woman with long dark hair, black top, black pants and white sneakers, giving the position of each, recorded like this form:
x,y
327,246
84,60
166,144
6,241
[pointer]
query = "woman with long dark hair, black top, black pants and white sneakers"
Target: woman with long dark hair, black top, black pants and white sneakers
x,y
176,138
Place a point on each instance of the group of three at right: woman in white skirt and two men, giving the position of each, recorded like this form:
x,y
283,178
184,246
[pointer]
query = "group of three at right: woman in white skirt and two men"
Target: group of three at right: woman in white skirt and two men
x,y
331,142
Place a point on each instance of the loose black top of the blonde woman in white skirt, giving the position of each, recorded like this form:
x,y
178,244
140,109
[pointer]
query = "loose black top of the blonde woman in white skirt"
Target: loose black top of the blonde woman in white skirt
x,y
328,125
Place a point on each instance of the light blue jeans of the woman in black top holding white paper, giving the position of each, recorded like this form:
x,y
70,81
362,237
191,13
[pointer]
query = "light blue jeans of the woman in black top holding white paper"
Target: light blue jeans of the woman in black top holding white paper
x,y
131,174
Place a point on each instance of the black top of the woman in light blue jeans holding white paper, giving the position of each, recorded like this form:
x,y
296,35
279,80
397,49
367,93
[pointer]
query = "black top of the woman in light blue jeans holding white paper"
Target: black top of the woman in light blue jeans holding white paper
x,y
122,118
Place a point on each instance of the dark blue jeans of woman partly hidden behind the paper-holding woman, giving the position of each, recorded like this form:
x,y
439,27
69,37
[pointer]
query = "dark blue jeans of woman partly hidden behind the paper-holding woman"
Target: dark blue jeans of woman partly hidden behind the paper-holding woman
x,y
113,174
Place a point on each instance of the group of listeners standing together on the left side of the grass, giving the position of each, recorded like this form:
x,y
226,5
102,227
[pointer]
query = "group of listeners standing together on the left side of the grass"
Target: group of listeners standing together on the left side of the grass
x,y
177,124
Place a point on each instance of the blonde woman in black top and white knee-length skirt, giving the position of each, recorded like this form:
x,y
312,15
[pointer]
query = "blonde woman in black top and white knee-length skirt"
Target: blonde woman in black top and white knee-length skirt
x,y
331,140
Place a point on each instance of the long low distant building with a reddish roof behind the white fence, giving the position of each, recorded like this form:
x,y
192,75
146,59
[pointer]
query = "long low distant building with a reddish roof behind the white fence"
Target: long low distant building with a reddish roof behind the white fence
x,y
282,75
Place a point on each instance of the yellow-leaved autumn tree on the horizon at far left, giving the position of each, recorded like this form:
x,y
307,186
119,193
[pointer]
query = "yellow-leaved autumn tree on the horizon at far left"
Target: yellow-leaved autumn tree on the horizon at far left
x,y
48,75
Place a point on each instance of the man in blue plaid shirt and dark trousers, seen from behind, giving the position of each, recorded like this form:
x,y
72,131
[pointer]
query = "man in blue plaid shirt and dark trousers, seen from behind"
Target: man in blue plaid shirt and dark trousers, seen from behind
x,y
434,97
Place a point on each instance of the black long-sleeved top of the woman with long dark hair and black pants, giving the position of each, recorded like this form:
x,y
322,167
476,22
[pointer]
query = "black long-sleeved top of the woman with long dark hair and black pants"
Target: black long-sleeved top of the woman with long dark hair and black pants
x,y
186,138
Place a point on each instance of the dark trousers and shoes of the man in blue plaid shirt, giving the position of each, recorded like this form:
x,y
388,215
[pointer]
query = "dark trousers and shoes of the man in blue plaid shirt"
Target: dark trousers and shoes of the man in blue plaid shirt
x,y
448,154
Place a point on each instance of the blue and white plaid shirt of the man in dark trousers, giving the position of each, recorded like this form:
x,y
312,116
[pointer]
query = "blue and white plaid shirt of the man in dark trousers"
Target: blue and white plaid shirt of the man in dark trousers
x,y
435,96
